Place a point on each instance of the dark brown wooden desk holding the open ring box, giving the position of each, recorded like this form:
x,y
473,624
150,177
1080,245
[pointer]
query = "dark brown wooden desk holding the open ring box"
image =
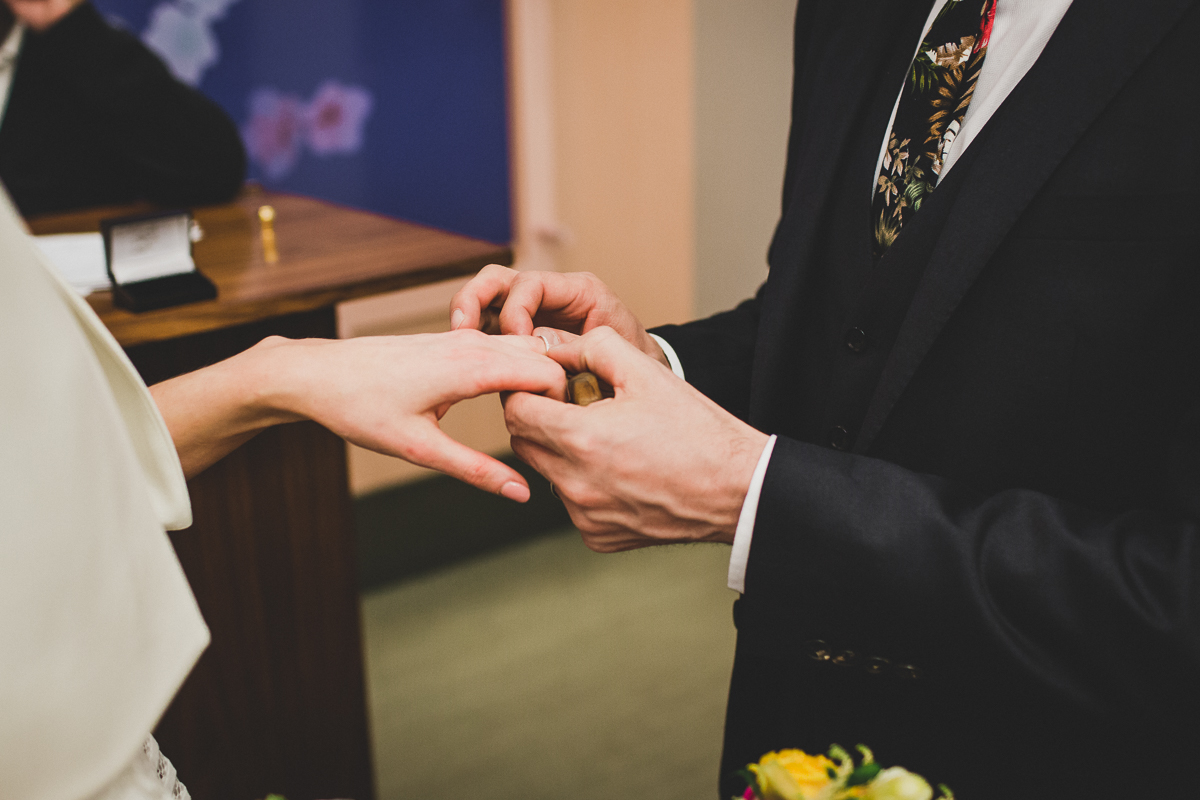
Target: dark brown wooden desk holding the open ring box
x,y
278,702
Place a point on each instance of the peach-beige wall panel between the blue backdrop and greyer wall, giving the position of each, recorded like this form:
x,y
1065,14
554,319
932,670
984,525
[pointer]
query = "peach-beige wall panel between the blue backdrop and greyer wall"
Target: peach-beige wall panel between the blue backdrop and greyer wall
x,y
623,123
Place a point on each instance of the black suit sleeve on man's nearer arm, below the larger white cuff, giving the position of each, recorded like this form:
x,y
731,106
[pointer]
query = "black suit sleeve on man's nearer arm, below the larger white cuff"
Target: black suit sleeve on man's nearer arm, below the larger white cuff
x,y
1100,609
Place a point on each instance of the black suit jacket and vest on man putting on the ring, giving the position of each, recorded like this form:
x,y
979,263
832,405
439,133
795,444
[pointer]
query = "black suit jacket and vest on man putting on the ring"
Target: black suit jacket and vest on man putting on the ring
x,y
977,544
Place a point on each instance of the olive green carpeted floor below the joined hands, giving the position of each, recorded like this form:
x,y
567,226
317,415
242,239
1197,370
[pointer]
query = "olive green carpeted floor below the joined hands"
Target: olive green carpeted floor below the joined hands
x,y
550,672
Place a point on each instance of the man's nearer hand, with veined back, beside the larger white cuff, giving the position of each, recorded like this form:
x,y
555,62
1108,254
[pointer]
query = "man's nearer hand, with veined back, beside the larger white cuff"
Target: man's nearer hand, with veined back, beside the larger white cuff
x,y
657,464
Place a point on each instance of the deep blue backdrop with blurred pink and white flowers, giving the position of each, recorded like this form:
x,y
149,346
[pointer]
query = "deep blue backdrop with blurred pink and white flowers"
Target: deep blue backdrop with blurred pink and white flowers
x,y
393,106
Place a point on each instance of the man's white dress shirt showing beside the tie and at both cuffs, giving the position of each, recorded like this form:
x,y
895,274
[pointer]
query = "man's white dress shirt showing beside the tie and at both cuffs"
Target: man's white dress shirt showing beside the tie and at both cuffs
x,y
1019,34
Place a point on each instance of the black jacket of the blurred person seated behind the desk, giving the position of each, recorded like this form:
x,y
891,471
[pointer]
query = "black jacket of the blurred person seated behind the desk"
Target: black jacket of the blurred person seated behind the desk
x,y
95,119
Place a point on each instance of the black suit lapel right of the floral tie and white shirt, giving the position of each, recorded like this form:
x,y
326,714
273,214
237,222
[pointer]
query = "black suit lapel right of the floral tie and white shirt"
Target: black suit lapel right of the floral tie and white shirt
x,y
1096,50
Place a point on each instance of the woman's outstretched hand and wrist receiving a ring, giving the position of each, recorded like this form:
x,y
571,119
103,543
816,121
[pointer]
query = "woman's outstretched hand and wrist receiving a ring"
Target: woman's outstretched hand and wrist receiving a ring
x,y
386,394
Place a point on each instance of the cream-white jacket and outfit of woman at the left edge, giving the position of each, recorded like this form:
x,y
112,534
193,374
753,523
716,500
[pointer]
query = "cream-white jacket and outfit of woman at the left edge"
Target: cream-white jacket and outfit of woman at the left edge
x,y
98,623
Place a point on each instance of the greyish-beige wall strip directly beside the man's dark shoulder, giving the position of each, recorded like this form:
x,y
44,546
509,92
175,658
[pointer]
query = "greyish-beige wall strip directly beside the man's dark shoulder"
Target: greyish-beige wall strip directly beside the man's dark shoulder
x,y
743,95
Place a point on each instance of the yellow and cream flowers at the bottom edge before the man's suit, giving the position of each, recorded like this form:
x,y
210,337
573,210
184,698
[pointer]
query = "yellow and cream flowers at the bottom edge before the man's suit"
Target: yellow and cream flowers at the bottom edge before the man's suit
x,y
795,775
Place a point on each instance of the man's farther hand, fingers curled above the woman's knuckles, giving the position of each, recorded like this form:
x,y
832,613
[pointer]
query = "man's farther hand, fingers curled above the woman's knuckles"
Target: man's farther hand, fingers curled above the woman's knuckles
x,y
574,302
